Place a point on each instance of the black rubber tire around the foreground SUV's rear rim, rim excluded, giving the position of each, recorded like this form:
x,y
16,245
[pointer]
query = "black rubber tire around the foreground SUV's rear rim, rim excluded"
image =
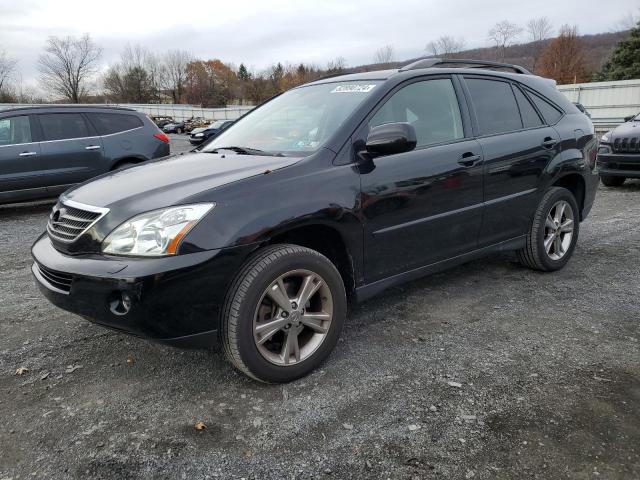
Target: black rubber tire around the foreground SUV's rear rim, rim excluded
x,y
534,255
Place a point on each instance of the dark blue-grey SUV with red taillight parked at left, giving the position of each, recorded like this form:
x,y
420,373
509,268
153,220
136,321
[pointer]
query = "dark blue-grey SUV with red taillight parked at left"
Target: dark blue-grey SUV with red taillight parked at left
x,y
45,150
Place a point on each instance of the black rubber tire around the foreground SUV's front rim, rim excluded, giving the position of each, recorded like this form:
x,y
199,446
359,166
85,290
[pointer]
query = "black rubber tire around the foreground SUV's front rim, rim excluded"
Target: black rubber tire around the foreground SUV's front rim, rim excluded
x,y
243,297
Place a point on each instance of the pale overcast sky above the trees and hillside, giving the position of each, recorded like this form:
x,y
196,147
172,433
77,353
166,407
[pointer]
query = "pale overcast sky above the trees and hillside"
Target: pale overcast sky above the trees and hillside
x,y
260,33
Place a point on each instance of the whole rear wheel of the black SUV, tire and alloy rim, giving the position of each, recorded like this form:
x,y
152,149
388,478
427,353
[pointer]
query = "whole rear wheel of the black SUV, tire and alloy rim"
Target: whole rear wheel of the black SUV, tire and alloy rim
x,y
535,254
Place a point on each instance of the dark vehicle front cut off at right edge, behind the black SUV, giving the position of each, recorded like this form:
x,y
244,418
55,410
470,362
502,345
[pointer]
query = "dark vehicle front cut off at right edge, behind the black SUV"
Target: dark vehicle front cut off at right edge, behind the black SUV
x,y
619,153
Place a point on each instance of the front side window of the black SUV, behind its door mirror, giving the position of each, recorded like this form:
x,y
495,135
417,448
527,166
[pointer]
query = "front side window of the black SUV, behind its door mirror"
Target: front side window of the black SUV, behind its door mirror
x,y
430,106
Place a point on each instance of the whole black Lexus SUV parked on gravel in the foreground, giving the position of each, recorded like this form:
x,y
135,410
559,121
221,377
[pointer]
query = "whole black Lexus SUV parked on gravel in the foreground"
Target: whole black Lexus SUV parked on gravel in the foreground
x,y
332,191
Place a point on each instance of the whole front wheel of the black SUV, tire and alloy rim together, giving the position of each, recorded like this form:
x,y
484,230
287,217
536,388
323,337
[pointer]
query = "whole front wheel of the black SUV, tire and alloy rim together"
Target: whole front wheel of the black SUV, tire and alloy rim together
x,y
249,295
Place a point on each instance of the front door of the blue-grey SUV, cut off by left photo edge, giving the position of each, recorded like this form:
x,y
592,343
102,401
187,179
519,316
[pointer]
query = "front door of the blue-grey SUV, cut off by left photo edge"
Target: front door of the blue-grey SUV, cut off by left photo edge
x,y
20,159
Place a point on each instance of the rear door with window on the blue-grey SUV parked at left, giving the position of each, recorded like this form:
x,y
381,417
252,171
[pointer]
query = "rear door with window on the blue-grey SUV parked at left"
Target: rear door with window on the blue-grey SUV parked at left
x,y
71,149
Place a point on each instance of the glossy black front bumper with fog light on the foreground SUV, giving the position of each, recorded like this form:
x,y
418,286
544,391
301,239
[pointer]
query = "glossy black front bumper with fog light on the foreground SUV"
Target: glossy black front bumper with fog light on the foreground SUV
x,y
174,300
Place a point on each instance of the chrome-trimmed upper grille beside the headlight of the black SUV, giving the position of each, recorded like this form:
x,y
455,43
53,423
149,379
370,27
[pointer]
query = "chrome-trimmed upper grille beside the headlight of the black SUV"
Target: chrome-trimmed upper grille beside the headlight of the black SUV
x,y
67,223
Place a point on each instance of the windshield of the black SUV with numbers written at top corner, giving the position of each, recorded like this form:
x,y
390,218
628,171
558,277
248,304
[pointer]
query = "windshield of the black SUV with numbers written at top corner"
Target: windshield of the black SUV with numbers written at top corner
x,y
298,122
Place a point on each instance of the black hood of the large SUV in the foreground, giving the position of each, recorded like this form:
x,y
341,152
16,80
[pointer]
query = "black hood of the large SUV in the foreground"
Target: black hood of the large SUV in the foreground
x,y
171,181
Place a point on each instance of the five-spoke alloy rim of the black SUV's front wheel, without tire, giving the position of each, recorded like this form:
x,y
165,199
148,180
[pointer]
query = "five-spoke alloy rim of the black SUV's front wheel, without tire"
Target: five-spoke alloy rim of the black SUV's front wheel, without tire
x,y
293,317
